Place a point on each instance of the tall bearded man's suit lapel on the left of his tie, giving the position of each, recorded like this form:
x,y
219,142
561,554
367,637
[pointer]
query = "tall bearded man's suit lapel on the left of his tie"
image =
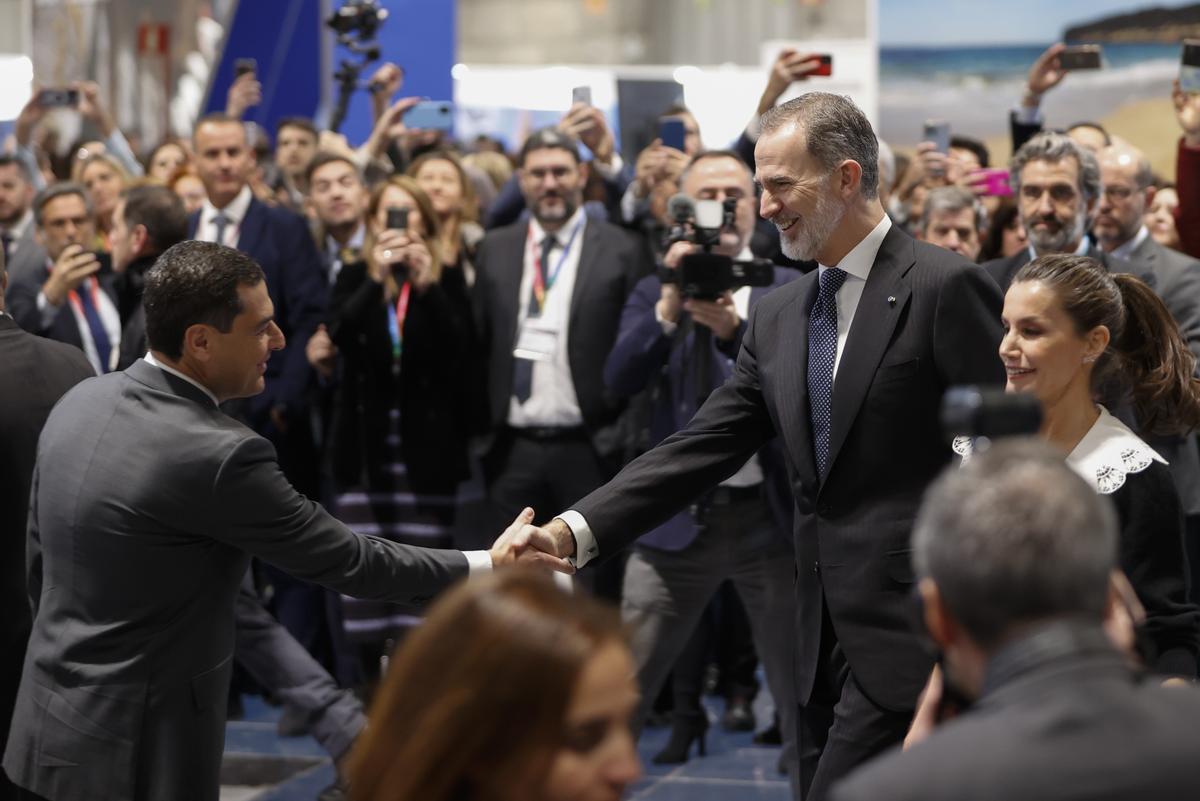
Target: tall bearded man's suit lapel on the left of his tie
x,y
794,407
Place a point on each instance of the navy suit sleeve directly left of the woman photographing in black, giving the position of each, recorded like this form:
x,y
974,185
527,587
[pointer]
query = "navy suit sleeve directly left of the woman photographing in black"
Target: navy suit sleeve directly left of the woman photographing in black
x,y
307,294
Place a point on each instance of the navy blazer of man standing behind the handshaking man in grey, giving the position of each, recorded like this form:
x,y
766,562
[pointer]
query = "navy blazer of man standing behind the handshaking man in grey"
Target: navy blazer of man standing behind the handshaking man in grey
x,y
281,244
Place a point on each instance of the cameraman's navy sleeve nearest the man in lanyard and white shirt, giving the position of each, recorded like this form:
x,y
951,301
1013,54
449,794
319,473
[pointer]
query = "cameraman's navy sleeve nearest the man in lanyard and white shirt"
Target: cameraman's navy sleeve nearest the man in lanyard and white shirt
x,y
641,348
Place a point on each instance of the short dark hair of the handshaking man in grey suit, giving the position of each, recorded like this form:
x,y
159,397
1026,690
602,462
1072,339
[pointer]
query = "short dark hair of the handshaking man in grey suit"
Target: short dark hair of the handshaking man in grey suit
x,y
195,284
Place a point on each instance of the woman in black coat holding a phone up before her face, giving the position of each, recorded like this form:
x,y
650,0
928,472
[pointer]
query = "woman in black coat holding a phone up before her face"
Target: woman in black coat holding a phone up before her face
x,y
398,441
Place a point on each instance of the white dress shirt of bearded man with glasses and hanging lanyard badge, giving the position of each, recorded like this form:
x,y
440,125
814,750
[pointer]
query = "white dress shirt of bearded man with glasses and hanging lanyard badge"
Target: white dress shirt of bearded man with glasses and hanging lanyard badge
x,y
553,401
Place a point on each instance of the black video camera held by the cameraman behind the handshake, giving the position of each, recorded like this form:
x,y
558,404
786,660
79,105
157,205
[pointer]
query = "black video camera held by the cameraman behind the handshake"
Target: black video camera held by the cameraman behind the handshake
x,y
707,275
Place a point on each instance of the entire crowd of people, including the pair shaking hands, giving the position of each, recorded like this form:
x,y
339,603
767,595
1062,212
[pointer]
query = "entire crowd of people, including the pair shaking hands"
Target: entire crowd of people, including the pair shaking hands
x,y
441,341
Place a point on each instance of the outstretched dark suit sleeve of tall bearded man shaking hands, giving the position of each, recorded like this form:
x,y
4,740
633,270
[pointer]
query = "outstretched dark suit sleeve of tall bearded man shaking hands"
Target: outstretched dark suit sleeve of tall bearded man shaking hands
x,y
731,426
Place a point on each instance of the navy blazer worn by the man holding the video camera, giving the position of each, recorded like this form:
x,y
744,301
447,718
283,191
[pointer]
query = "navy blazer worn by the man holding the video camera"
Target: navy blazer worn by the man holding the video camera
x,y
645,353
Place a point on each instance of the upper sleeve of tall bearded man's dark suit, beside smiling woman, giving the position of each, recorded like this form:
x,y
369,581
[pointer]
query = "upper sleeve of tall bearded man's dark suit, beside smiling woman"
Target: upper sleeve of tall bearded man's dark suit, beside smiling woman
x,y
968,330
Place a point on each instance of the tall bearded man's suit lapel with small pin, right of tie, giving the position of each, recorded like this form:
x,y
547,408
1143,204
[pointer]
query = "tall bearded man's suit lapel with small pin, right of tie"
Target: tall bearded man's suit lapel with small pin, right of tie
x,y
884,302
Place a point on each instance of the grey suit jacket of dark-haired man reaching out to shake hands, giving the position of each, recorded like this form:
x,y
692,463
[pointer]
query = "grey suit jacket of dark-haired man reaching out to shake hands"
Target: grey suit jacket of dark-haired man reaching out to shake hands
x,y
148,503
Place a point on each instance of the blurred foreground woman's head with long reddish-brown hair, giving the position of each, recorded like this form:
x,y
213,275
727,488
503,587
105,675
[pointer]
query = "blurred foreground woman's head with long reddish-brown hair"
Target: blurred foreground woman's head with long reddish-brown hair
x,y
513,690
